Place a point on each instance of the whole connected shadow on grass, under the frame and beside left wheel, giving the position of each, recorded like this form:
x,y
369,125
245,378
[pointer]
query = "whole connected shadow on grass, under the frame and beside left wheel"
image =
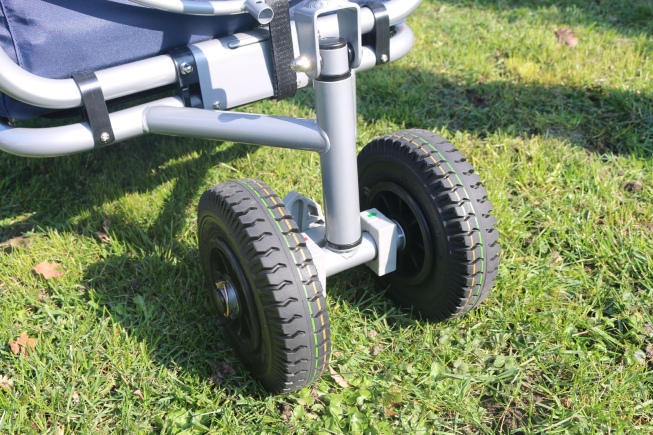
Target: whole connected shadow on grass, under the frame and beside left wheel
x,y
154,288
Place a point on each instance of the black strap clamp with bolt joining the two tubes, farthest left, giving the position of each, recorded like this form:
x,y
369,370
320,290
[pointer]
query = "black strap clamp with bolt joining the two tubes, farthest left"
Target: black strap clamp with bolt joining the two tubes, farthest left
x,y
94,108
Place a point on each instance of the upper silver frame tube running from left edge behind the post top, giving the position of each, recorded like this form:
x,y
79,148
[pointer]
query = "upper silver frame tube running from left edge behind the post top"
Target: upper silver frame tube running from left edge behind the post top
x,y
142,75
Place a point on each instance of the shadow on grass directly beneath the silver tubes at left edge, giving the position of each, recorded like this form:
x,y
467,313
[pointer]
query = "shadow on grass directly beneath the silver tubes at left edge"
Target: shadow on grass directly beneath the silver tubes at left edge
x,y
65,192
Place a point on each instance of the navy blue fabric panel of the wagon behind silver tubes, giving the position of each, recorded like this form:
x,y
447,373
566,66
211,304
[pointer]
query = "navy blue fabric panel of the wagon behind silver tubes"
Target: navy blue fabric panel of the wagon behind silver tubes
x,y
55,38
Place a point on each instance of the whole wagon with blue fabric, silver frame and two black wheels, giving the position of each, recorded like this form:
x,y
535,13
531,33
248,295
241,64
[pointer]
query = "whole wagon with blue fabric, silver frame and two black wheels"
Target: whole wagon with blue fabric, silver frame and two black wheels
x,y
409,205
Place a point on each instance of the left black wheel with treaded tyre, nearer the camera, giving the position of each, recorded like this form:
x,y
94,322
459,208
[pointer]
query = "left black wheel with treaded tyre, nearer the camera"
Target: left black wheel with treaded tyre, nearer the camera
x,y
264,284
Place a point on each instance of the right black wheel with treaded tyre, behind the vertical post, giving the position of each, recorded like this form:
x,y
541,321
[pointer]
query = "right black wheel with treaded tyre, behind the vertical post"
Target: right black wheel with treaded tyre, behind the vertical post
x,y
451,255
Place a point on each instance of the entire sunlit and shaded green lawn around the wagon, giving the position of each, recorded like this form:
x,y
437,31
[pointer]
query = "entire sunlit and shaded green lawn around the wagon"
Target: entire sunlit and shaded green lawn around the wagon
x,y
564,344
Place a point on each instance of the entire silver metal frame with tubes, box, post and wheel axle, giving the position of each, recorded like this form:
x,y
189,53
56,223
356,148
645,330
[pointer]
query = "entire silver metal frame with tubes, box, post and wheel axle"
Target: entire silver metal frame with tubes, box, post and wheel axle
x,y
348,237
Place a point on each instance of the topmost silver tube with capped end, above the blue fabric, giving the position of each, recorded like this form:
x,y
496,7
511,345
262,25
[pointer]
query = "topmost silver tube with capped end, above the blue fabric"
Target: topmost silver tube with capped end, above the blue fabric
x,y
258,9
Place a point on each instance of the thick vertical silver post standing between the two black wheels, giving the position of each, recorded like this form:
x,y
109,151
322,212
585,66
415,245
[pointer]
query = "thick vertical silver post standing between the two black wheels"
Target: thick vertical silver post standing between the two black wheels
x,y
335,104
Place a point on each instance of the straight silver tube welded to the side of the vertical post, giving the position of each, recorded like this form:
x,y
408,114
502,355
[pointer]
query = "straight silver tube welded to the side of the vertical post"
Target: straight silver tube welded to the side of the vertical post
x,y
277,131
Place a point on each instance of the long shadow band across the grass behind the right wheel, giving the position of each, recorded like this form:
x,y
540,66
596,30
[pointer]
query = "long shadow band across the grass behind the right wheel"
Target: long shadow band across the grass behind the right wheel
x,y
600,120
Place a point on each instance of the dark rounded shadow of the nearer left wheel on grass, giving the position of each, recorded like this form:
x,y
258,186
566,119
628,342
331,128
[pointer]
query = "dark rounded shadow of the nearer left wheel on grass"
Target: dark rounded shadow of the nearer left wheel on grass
x,y
162,304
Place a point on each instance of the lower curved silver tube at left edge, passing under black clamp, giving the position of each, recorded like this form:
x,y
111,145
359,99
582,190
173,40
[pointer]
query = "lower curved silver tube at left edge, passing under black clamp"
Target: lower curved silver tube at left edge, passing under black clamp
x,y
70,139
